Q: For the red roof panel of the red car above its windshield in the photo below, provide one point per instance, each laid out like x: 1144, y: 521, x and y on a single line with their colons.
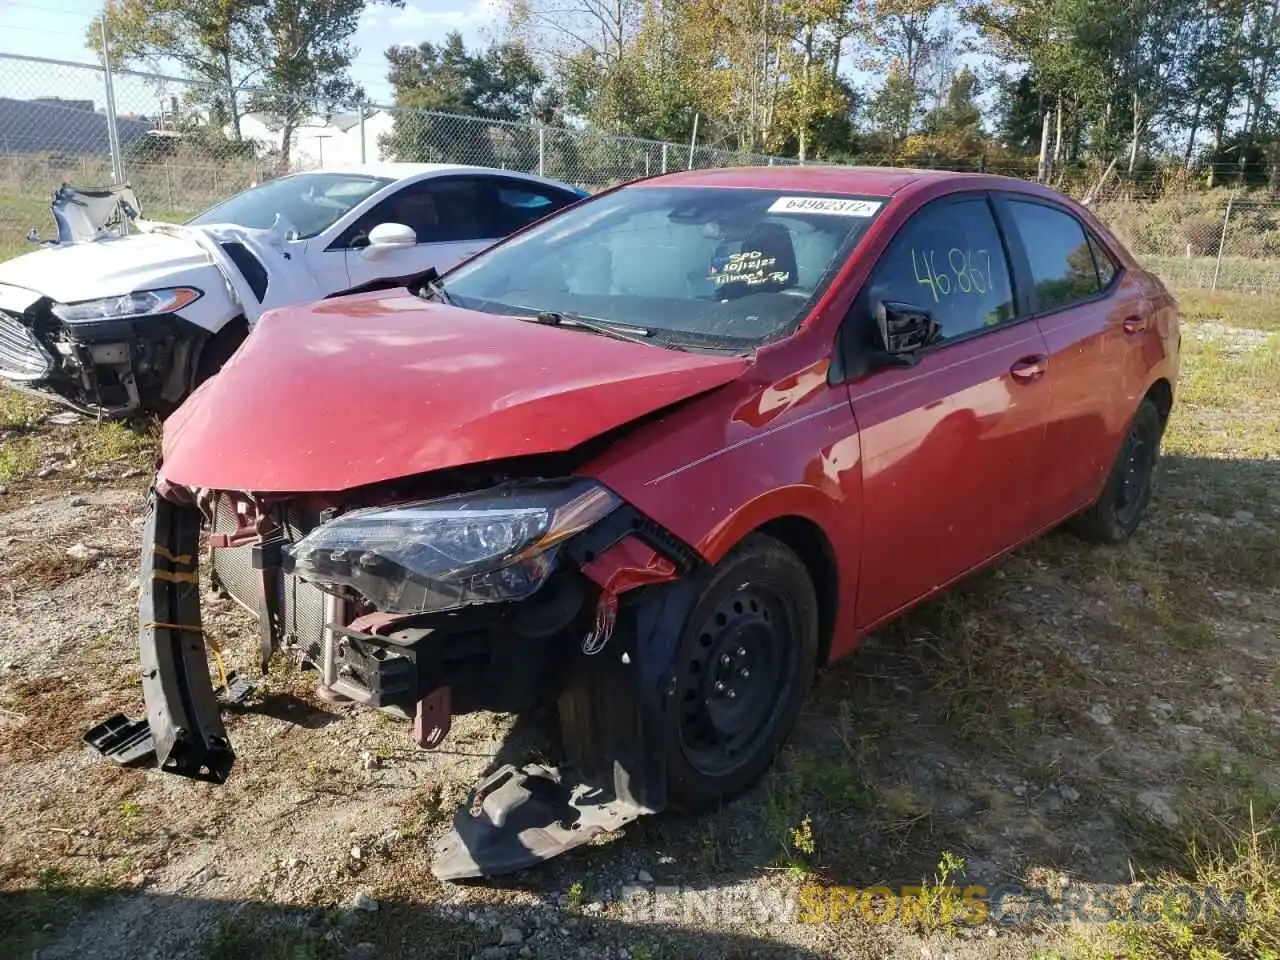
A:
x: 866, y: 181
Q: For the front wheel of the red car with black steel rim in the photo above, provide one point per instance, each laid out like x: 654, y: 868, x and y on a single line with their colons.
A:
x: 743, y: 669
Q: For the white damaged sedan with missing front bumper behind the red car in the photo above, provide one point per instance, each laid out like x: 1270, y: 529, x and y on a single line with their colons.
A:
x: 120, y: 322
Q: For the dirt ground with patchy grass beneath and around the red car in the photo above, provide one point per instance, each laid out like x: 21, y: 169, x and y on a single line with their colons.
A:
x: 1076, y: 715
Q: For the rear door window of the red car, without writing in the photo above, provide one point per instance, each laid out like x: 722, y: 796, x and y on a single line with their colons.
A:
x: 1062, y: 263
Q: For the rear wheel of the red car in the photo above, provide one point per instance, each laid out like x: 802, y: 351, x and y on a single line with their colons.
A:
x: 1119, y: 511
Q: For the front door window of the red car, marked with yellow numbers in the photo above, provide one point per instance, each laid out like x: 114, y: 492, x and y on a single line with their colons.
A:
x: 950, y: 260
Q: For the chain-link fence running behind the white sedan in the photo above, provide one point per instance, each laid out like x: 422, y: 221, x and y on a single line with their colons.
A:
x: 185, y: 147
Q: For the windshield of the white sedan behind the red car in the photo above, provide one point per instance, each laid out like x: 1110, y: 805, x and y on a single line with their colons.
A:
x: 310, y: 203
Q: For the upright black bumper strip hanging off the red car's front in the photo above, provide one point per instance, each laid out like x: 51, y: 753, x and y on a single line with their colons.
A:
x: 182, y: 712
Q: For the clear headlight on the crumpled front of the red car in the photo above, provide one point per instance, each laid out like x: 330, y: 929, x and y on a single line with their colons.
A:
x: 484, y: 547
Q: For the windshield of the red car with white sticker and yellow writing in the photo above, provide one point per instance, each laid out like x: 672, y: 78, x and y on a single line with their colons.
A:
x: 716, y: 267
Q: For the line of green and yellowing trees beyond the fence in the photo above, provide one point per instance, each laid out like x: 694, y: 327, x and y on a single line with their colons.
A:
x: 1171, y: 89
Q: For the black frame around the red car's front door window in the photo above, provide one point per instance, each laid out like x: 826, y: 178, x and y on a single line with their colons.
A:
x: 847, y: 346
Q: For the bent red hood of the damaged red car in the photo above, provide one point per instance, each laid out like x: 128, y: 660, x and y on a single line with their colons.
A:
x: 378, y: 387
